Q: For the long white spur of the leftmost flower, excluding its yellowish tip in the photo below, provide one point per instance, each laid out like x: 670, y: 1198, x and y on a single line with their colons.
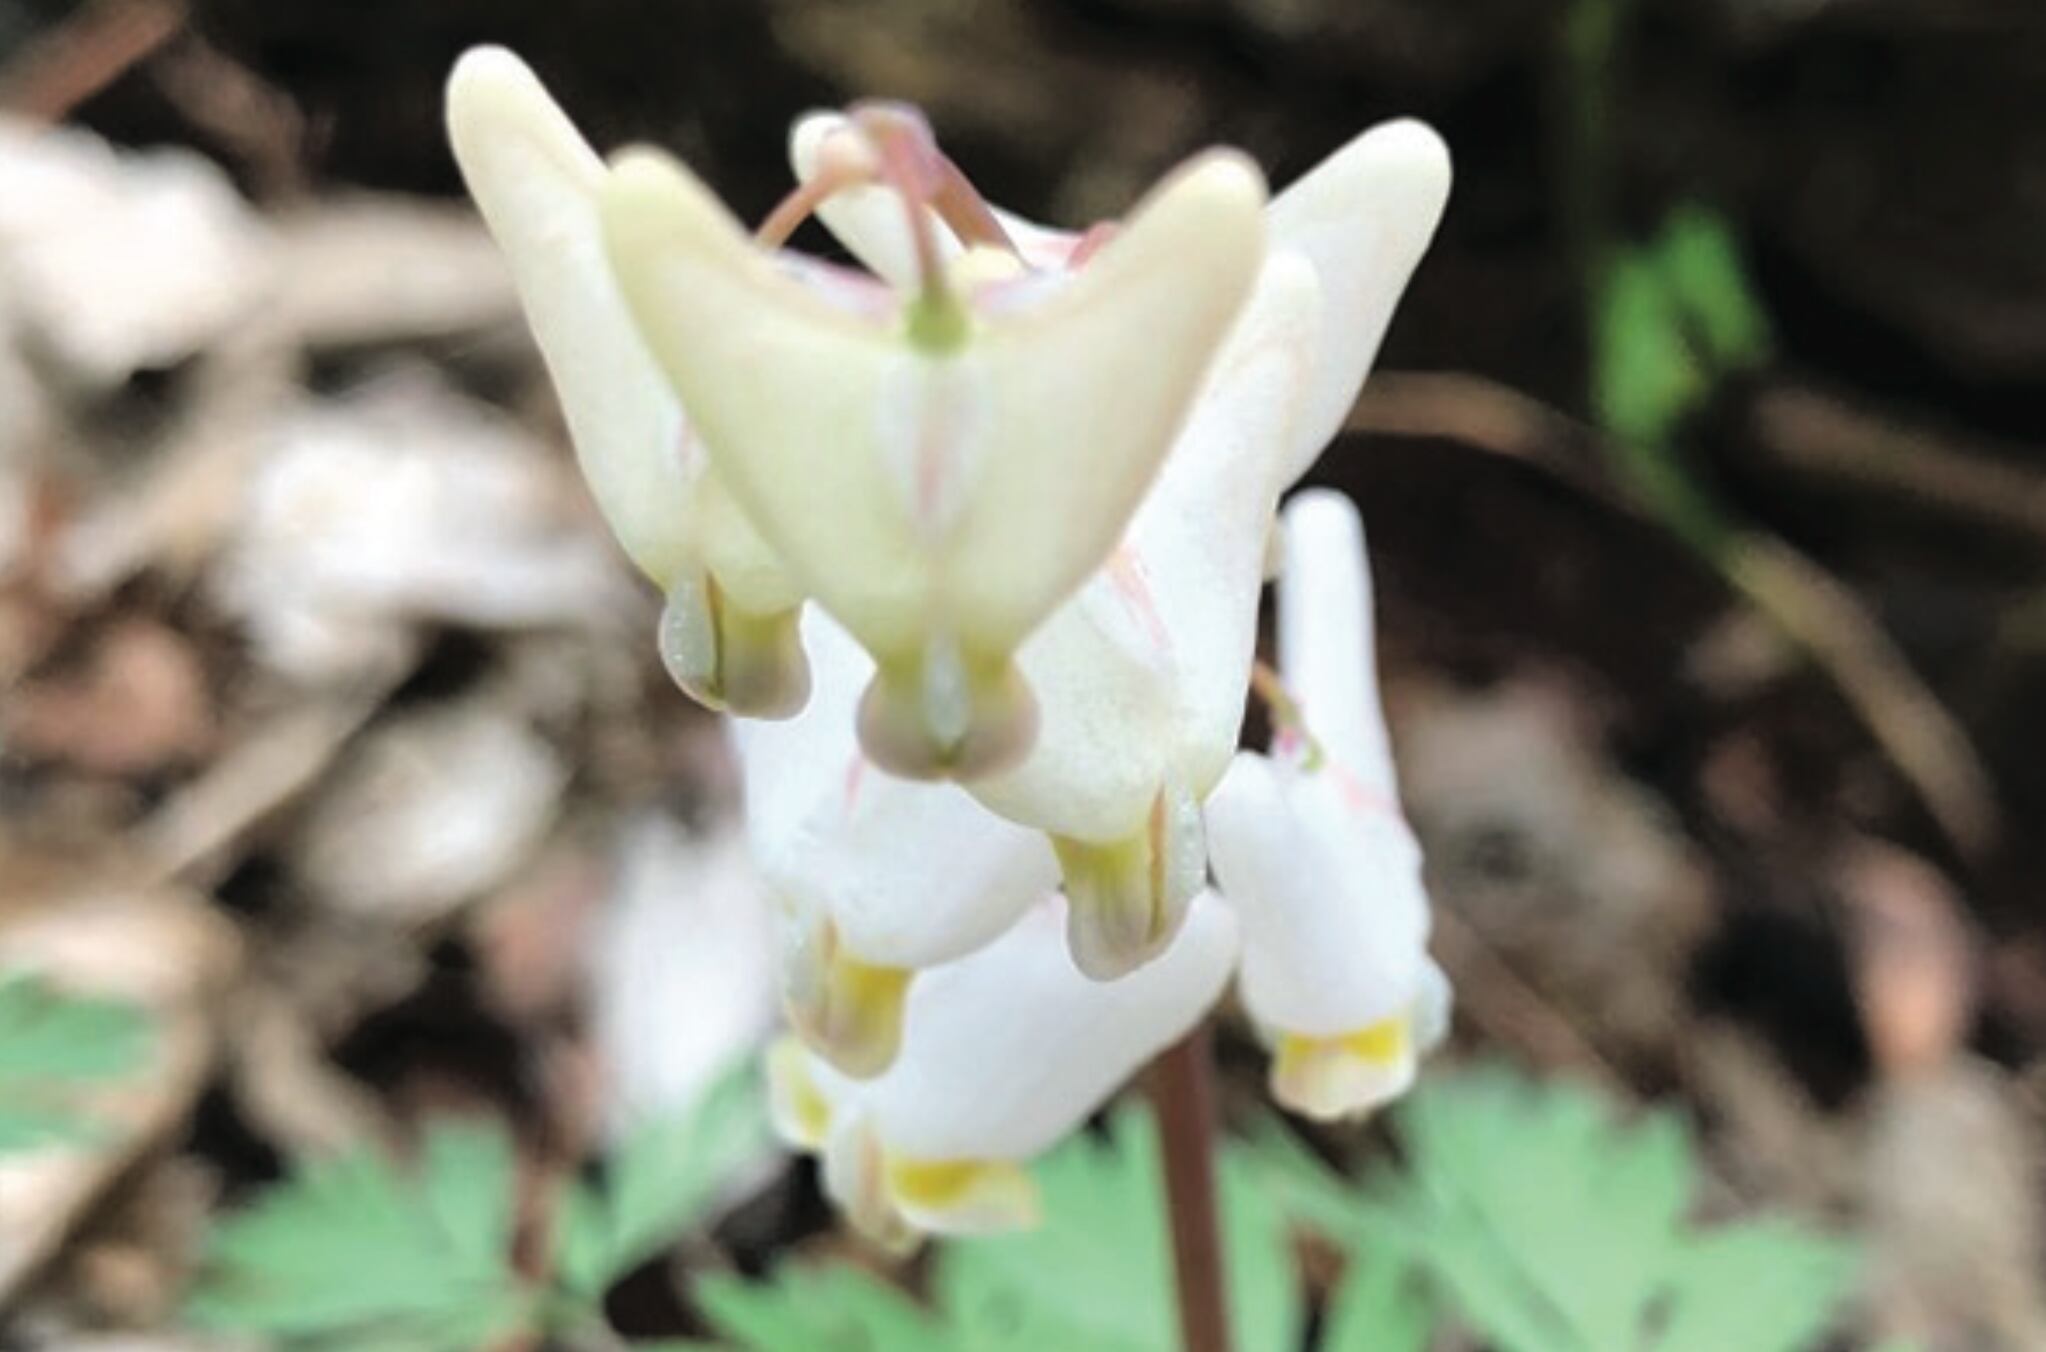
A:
x: 537, y: 181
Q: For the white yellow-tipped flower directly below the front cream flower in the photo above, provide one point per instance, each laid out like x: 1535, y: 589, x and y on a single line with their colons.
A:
x: 877, y: 876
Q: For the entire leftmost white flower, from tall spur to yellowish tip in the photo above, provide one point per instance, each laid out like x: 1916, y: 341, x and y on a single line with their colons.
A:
x: 729, y: 631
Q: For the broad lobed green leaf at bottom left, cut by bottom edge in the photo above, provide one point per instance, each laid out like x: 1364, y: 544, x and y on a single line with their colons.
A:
x: 355, y: 1253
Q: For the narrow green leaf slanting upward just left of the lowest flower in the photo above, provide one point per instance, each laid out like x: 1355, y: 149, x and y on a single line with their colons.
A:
x: 660, y: 1183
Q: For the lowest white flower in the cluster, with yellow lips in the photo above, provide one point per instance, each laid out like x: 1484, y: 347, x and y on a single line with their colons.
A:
x: 1004, y: 1054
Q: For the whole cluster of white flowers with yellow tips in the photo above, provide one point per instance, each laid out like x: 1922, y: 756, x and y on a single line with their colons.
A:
x: 971, y: 547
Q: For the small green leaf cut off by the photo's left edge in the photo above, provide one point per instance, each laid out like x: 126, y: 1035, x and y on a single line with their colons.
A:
x: 54, y: 1046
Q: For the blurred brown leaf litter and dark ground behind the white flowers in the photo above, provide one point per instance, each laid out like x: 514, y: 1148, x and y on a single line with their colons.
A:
x: 1705, y: 482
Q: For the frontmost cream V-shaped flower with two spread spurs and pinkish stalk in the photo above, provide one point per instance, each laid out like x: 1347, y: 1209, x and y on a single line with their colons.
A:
x: 938, y: 465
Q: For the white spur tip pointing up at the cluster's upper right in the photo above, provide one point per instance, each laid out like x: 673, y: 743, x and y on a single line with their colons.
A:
x: 1364, y: 218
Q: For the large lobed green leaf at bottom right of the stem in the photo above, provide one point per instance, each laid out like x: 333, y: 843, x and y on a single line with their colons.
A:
x: 1552, y: 1226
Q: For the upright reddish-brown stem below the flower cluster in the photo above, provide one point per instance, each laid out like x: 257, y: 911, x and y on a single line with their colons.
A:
x: 1184, y: 1095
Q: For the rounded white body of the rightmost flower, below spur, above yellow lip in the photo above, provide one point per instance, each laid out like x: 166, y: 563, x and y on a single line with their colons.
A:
x: 1327, y: 887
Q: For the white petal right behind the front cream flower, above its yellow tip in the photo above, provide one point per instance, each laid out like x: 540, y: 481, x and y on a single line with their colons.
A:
x: 1143, y: 676
